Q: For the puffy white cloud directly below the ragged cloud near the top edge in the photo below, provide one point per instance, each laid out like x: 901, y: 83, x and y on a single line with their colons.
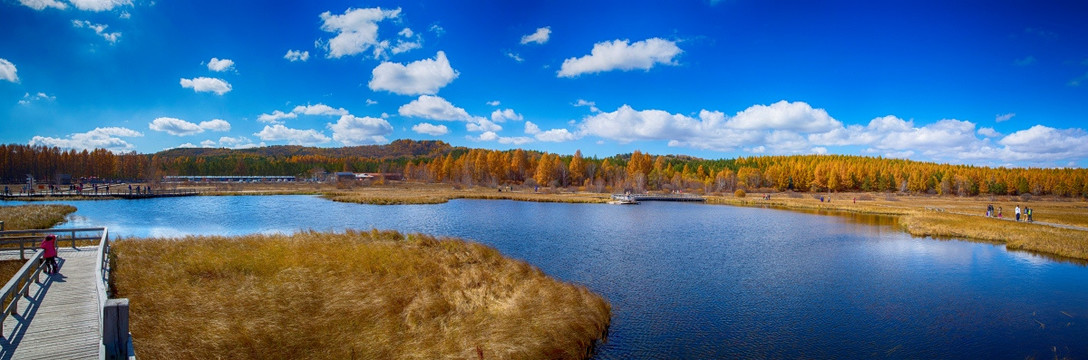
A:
x: 425, y: 77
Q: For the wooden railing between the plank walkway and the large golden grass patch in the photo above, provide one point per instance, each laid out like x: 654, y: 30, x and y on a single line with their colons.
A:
x: 114, y: 314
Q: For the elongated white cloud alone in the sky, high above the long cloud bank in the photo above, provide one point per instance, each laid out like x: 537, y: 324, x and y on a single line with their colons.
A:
x: 619, y: 55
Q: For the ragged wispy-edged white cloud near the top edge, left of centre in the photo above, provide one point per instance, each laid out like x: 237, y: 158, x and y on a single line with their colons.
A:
x: 356, y: 31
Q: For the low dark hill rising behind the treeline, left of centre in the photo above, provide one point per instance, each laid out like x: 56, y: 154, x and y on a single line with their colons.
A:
x: 403, y: 148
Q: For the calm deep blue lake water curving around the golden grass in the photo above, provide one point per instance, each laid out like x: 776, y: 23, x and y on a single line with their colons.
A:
x: 695, y: 281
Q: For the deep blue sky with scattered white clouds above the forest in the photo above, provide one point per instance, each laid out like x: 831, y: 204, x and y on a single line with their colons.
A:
x: 988, y: 83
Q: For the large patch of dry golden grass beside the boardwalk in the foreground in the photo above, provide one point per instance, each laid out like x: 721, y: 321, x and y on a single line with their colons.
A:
x: 358, y: 295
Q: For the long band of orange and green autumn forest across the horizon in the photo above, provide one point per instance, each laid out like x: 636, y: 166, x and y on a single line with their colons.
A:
x: 439, y: 163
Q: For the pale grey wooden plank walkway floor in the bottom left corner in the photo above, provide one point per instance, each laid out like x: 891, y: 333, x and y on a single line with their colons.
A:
x: 60, y: 320
